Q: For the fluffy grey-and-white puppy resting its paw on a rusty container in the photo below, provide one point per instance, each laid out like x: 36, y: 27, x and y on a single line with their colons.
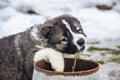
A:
x: 48, y: 41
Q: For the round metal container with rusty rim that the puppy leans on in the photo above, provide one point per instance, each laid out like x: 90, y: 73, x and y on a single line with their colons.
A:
x: 84, y: 70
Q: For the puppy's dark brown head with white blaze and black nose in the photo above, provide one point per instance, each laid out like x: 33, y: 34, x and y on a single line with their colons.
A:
x: 64, y: 34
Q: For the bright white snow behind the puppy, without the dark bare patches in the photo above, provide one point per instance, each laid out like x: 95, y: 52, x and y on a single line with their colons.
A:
x: 104, y: 24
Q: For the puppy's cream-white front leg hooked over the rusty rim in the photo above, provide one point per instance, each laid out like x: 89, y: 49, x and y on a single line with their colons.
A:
x: 52, y: 56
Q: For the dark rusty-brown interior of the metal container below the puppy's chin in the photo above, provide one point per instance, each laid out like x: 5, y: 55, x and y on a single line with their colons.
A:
x: 81, y: 65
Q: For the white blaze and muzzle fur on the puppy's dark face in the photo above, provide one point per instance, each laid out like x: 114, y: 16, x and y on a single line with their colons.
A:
x: 76, y: 36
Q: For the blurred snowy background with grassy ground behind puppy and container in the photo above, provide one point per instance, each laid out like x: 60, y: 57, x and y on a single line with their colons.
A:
x: 100, y: 20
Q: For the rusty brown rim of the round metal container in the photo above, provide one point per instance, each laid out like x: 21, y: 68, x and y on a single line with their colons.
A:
x: 77, y: 73
